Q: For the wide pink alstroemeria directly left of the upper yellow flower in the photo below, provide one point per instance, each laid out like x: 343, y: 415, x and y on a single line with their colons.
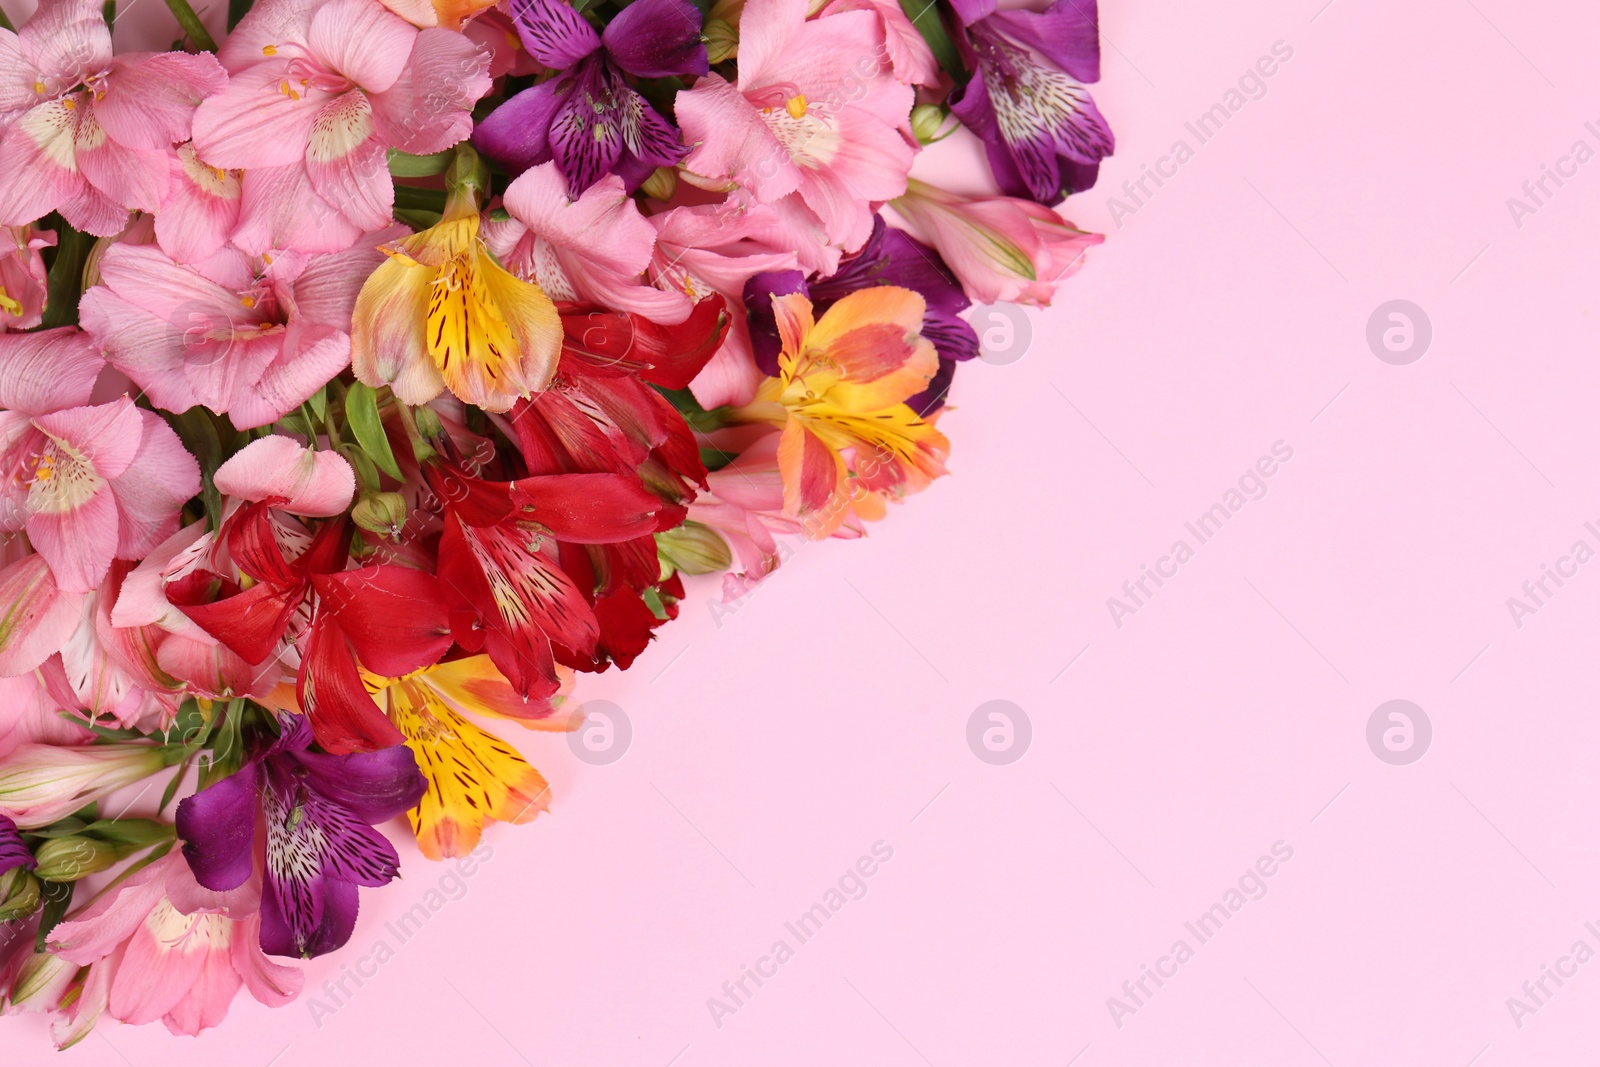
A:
x: 252, y: 338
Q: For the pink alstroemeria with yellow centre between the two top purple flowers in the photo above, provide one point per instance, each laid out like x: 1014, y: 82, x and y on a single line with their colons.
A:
x: 817, y: 113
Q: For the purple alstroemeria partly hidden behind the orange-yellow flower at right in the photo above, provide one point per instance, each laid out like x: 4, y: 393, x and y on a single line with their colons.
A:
x: 889, y: 258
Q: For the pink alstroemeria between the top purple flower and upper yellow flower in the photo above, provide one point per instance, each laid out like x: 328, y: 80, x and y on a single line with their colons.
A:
x: 593, y: 249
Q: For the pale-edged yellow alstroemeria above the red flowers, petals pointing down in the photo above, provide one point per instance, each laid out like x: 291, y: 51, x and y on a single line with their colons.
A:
x: 442, y: 314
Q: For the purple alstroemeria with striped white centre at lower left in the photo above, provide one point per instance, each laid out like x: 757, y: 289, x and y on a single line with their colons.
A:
x: 321, y: 842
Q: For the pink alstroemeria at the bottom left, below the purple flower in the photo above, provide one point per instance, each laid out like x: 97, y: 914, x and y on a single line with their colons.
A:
x: 177, y: 951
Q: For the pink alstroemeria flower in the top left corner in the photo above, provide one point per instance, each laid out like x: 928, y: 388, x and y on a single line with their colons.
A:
x: 89, y: 134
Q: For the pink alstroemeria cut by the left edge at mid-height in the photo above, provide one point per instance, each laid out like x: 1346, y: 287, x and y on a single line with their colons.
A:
x: 87, y: 482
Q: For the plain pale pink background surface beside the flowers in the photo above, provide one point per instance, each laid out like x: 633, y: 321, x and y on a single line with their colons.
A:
x: 1228, y: 314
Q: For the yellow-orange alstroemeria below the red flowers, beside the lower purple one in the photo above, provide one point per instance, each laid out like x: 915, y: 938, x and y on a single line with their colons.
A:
x: 473, y: 777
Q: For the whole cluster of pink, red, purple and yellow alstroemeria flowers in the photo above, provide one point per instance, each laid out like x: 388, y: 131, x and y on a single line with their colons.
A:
x: 374, y: 374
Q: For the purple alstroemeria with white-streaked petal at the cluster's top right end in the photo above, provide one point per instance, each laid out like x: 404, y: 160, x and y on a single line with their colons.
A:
x: 1026, y: 100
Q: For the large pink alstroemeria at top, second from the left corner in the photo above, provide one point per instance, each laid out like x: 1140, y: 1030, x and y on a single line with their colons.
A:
x: 319, y: 94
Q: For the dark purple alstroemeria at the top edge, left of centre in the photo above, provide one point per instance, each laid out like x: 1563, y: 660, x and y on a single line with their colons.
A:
x: 590, y: 119
